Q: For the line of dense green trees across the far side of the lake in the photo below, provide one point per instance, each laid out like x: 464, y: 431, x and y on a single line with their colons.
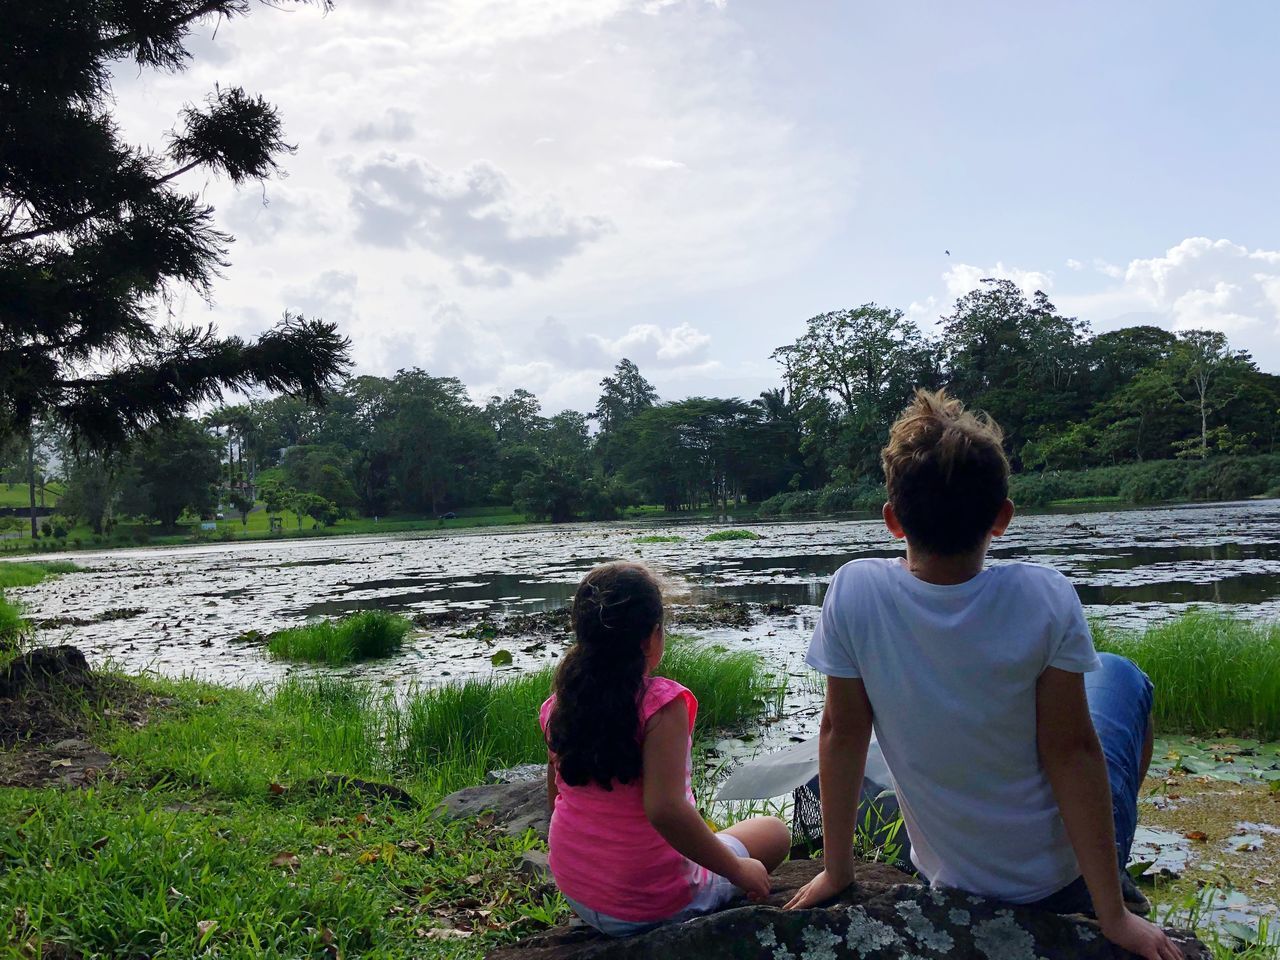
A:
x: 418, y: 445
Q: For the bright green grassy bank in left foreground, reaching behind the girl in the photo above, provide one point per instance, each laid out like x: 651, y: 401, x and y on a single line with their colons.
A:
x: 212, y: 839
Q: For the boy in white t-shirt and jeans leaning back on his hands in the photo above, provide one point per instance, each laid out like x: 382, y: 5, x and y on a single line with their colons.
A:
x: 975, y: 683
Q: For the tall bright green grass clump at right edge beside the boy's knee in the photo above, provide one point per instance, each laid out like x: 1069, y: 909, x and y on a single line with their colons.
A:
x: 1212, y: 673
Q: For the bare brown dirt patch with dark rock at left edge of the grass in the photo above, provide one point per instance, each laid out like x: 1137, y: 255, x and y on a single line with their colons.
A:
x: 51, y: 712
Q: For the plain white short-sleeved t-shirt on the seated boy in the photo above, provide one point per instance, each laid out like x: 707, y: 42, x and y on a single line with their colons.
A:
x: 950, y: 671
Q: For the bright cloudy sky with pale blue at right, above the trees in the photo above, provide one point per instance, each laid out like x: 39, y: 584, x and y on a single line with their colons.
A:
x: 523, y: 193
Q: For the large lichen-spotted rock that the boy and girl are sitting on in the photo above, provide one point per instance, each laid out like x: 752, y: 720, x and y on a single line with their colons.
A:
x: 877, y: 918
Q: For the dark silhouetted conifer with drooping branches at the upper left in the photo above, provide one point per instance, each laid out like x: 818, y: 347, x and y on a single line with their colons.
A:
x: 94, y: 231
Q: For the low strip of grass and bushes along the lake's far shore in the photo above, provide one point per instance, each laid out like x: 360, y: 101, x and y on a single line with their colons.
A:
x: 1127, y: 486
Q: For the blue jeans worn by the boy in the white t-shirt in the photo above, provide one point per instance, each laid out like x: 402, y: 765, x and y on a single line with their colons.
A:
x: 1121, y: 698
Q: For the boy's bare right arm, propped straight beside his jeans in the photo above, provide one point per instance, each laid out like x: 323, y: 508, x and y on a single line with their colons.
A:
x: 1077, y: 771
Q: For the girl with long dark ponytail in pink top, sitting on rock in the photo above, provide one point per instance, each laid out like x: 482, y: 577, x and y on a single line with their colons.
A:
x: 629, y: 849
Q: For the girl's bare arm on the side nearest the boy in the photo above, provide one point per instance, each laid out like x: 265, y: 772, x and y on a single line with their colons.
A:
x: 666, y: 751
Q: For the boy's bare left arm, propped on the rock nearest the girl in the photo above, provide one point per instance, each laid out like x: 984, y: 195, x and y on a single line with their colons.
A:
x: 843, y: 742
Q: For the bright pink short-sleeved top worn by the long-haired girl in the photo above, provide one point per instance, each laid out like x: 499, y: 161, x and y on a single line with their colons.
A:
x: 605, y: 853
